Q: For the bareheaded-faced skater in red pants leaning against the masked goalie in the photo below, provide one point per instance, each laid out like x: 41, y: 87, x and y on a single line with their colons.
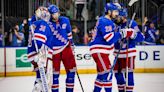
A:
x: 62, y: 50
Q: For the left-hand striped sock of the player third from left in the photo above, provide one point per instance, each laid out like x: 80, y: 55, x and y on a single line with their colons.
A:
x: 98, y: 83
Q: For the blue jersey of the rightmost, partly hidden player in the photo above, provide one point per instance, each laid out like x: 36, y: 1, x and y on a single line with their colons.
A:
x: 132, y: 42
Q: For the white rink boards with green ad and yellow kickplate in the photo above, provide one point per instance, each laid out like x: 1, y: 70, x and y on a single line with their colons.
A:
x: 148, y: 59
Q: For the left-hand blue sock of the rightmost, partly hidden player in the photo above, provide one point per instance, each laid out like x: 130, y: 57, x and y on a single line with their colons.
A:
x: 120, y: 81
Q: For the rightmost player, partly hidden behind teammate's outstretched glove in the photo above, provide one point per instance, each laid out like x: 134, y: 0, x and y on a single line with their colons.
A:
x: 120, y: 66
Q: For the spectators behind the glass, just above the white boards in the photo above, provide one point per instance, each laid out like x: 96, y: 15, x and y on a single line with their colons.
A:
x: 17, y: 36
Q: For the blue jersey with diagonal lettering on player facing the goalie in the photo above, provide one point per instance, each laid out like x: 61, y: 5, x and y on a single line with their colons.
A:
x: 62, y: 33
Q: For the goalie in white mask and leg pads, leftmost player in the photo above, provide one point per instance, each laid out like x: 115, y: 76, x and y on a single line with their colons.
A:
x: 41, y: 41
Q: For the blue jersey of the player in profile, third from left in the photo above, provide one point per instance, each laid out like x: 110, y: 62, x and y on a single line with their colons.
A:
x: 104, y: 36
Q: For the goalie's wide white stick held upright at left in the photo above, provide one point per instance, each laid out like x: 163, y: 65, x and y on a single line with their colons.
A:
x: 40, y: 66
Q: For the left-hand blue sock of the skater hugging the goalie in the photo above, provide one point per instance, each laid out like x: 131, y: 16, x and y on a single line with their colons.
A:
x: 55, y: 85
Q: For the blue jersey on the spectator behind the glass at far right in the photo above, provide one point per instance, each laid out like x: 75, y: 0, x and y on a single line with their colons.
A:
x: 150, y: 36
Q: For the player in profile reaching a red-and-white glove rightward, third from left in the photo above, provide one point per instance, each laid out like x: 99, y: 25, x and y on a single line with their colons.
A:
x: 102, y: 45
